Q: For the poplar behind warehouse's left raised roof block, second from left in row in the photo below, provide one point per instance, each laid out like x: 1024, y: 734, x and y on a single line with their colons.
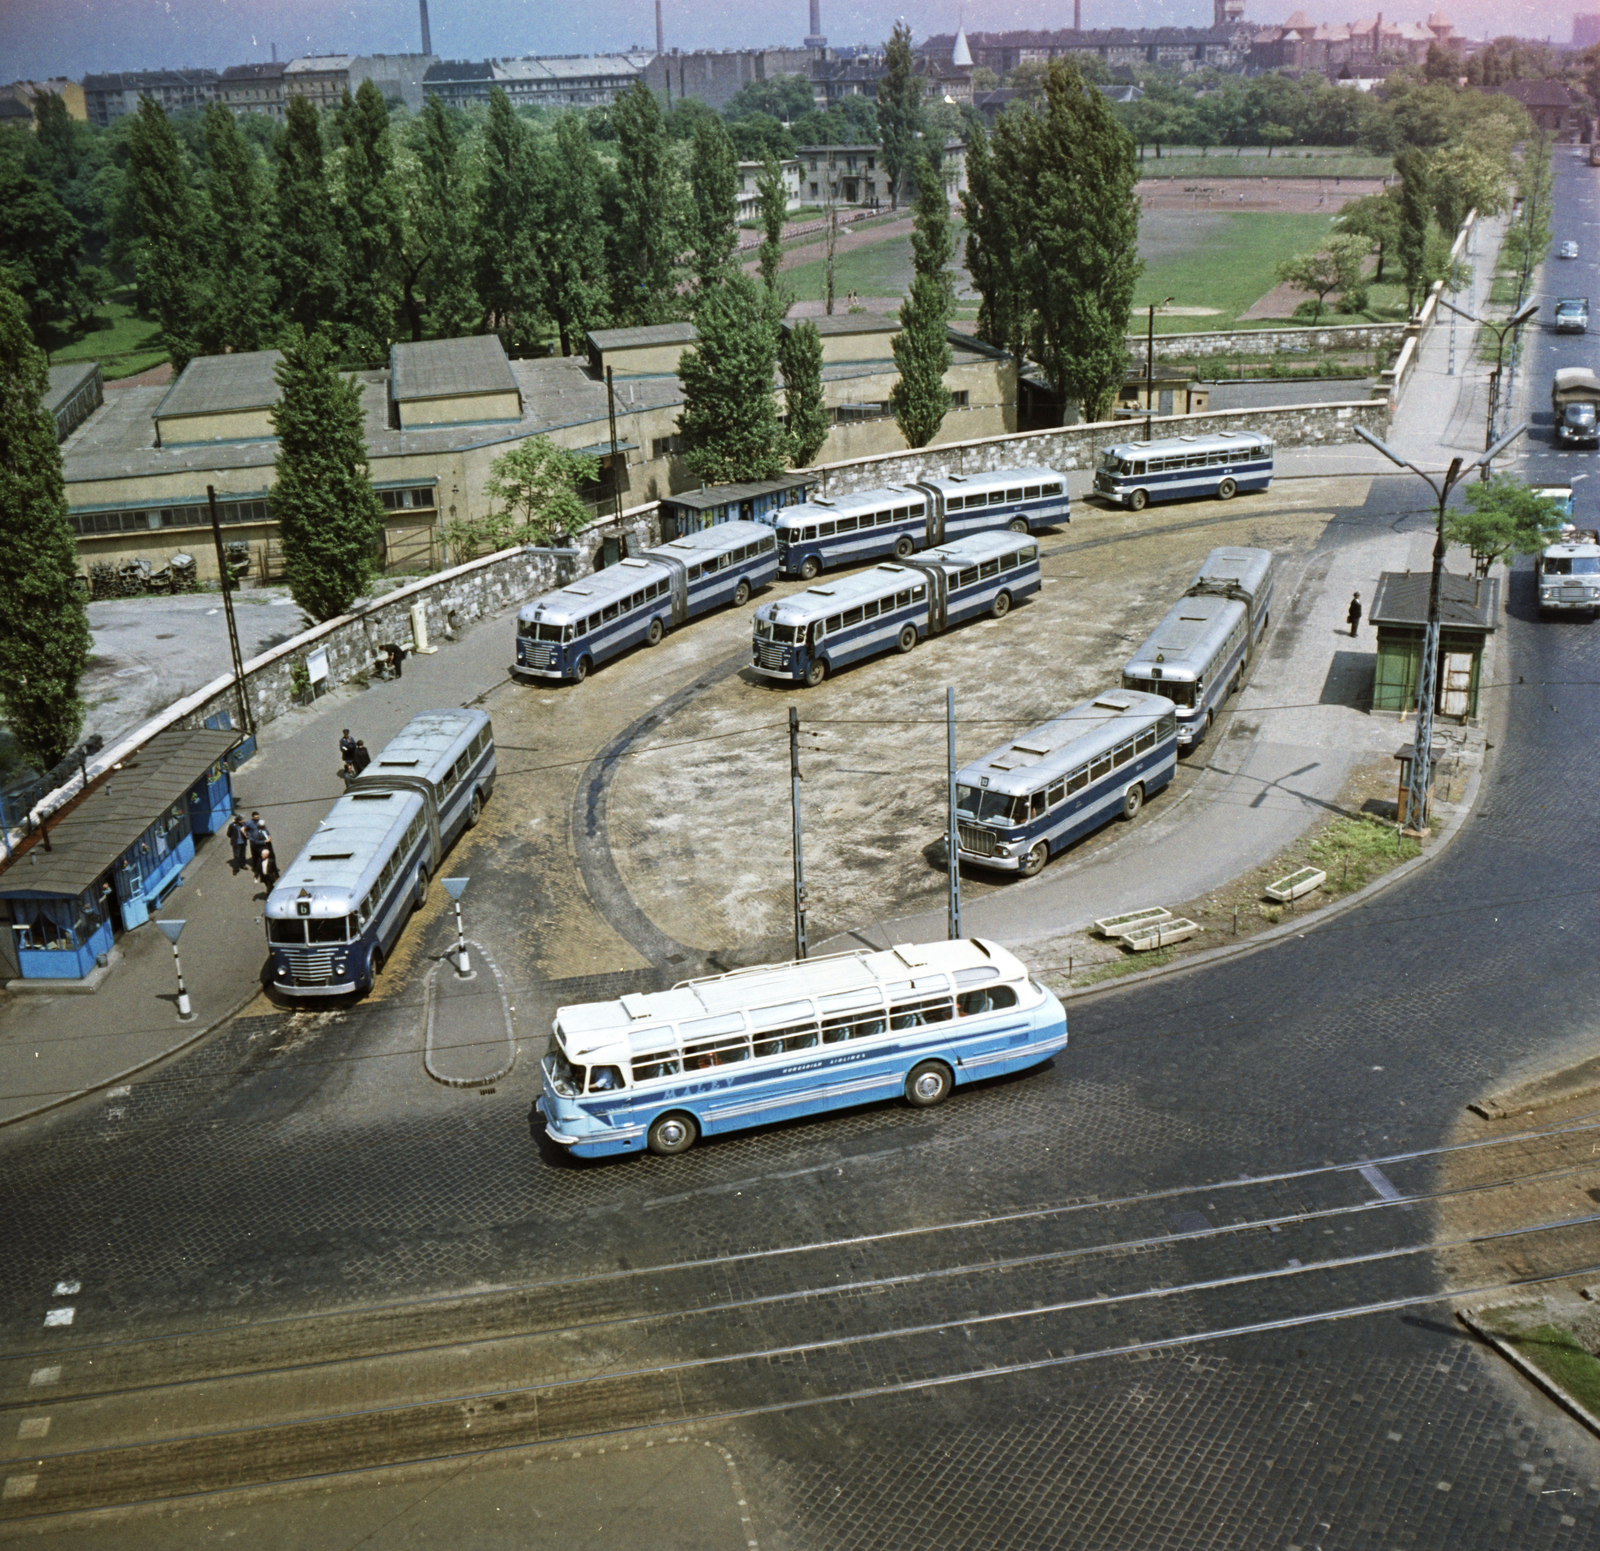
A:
x: 239, y: 289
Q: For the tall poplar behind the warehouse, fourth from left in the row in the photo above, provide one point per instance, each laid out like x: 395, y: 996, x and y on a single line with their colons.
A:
x: 370, y: 218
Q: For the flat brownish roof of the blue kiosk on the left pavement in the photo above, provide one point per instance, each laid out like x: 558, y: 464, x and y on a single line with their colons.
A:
x: 92, y: 836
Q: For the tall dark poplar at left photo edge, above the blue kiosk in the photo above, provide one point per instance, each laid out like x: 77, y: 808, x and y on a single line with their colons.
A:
x: 44, y: 623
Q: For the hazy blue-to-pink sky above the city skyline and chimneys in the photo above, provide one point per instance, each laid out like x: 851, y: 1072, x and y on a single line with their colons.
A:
x: 71, y: 38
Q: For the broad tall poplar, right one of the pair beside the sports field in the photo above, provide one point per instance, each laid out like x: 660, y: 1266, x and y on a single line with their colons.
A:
x: 1084, y: 231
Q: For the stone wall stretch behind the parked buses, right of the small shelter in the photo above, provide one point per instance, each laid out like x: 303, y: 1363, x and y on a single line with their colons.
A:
x: 1078, y: 447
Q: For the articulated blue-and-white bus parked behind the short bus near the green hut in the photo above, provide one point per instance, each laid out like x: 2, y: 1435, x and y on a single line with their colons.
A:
x: 1199, y: 654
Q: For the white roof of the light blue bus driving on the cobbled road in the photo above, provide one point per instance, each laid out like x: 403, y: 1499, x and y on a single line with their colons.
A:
x: 614, y: 1032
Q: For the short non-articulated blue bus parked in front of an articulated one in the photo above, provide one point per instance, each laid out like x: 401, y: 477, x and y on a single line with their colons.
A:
x: 1034, y: 796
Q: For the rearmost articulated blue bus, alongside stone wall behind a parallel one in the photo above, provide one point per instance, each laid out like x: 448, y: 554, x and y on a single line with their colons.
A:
x: 902, y: 519
